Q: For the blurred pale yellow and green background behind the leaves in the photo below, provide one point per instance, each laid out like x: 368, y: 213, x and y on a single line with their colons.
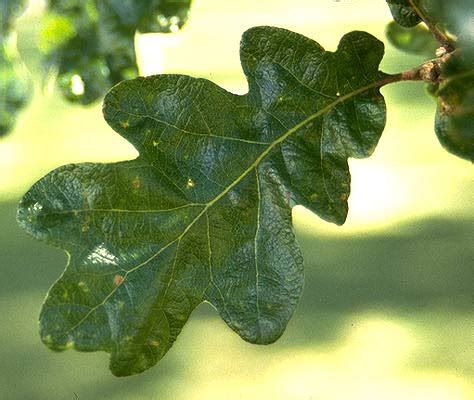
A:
x: 387, y: 310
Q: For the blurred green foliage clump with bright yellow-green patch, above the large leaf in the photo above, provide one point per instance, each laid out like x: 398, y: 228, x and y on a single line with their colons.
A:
x: 90, y: 44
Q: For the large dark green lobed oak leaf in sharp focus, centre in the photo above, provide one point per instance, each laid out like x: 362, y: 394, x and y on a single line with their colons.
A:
x: 204, y: 212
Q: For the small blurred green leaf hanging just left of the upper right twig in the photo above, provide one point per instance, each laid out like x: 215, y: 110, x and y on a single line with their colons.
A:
x: 417, y: 40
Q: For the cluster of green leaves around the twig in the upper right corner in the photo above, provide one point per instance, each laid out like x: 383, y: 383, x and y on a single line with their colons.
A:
x: 454, y: 90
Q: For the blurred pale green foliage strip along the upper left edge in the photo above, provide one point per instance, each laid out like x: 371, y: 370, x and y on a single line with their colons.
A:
x: 15, y: 88
